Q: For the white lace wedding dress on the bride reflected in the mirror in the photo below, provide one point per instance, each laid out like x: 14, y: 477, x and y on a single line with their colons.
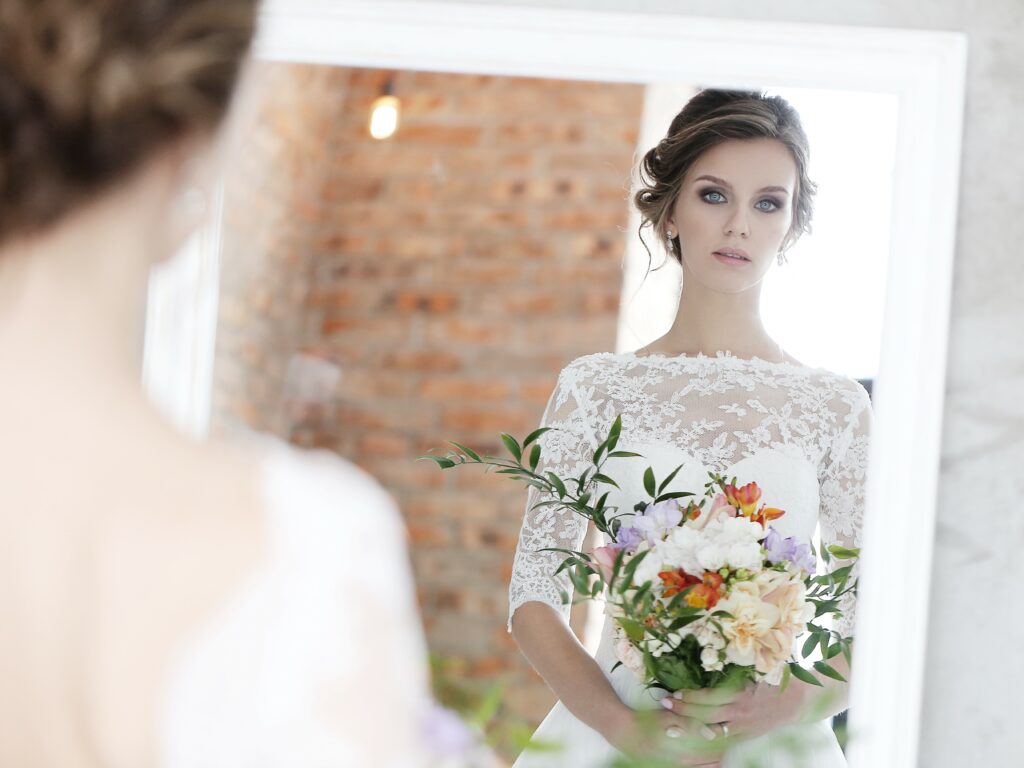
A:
x: 801, y: 433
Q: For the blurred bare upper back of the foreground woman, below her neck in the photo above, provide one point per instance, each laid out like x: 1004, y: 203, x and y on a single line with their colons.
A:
x: 115, y: 546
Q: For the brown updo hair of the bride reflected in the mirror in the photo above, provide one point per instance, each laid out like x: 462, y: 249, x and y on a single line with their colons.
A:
x: 714, y: 116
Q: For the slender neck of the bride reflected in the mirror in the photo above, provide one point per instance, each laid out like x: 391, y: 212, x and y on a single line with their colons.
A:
x: 711, y: 321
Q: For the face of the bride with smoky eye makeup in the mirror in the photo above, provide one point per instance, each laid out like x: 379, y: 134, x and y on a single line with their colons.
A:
x: 738, y: 195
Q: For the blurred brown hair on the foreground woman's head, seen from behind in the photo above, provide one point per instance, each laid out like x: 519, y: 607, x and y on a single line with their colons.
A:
x: 92, y: 90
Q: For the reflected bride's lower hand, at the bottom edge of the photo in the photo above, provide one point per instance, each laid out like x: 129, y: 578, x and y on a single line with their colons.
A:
x: 644, y: 734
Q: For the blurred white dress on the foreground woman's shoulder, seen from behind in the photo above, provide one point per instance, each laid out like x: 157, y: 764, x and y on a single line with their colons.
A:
x: 320, y: 660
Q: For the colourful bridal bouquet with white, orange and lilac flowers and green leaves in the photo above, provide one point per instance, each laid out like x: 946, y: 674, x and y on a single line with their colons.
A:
x: 704, y: 591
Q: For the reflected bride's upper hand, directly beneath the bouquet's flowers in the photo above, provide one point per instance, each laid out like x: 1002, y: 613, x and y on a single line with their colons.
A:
x: 748, y: 712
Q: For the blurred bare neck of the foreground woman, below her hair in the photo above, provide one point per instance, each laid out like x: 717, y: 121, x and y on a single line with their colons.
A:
x: 72, y: 304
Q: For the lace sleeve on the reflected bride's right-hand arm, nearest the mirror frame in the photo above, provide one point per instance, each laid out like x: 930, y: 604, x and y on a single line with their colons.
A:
x: 842, y: 489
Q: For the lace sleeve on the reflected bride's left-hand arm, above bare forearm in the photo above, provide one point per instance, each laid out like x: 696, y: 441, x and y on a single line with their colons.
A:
x: 567, y: 451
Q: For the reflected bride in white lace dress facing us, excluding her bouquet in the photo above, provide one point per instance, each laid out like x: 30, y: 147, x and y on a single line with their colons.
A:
x: 728, y: 193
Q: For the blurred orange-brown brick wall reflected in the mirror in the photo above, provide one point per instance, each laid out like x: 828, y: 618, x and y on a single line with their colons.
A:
x: 449, y: 273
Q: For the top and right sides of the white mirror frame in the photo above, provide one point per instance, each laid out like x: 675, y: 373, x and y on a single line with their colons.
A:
x: 925, y: 69
